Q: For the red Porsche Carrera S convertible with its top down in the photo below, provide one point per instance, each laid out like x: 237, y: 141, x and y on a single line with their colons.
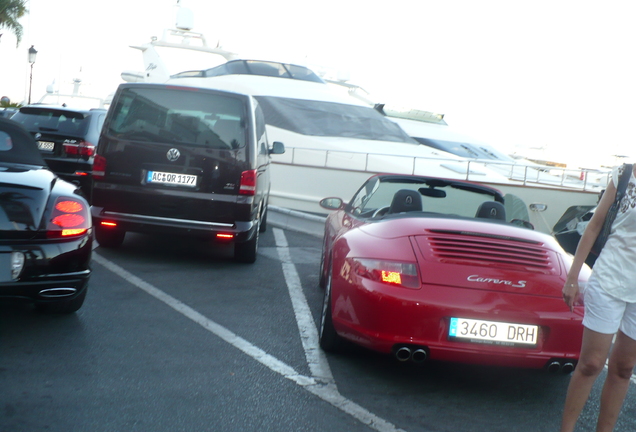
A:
x: 429, y: 268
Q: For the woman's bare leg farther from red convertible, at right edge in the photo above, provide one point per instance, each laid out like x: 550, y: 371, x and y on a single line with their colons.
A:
x: 619, y: 372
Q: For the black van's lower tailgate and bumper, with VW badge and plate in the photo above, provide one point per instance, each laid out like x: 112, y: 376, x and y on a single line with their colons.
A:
x: 197, y: 184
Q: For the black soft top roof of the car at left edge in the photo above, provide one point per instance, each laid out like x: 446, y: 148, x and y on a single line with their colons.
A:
x: 17, y: 145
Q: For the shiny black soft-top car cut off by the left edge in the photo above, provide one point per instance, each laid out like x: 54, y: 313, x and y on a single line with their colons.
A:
x: 45, y: 228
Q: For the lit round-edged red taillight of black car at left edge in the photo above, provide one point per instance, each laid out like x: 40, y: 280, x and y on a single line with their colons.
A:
x: 69, y: 218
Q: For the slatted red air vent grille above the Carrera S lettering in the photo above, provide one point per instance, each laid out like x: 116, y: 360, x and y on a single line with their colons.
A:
x: 474, y: 248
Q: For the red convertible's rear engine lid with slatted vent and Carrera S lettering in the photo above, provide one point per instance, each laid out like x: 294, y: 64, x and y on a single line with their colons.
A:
x: 480, y: 255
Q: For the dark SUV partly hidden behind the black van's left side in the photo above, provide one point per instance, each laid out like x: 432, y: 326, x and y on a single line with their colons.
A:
x: 67, y: 139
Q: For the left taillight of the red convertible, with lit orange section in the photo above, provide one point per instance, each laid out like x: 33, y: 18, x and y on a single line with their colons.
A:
x: 388, y: 272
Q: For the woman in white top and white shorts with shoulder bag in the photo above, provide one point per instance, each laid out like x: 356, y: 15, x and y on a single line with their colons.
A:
x: 610, y: 309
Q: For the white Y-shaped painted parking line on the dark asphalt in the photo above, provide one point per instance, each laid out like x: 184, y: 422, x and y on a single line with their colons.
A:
x: 323, y: 386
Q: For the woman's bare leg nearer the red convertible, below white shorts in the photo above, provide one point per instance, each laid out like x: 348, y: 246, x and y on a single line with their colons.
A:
x: 594, y: 351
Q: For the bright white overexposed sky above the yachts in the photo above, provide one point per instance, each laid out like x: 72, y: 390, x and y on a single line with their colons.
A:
x: 551, y: 79
